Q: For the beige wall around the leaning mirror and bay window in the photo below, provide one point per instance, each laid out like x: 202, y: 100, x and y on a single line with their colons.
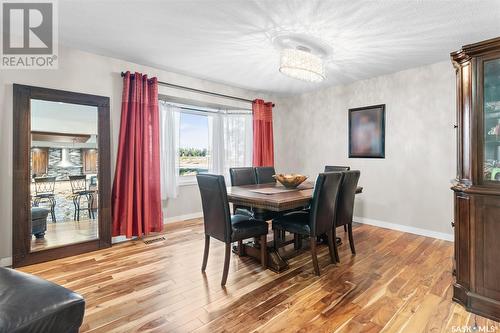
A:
x: 92, y: 74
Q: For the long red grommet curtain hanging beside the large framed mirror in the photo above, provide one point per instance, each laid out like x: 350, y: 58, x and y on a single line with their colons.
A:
x: 136, y: 188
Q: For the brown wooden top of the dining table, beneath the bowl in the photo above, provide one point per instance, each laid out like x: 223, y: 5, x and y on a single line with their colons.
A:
x: 246, y: 196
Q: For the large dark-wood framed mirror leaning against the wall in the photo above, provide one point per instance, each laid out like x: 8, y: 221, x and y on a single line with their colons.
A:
x: 62, y: 174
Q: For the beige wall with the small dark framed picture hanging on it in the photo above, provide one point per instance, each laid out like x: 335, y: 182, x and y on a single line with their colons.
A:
x: 409, y: 189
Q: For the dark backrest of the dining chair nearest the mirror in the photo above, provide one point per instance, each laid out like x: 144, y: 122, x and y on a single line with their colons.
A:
x: 216, y: 215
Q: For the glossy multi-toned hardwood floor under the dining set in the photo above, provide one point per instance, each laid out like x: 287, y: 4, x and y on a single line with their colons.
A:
x: 397, y: 282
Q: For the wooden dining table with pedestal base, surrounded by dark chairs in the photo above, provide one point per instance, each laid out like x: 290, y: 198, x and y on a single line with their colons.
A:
x: 276, y: 198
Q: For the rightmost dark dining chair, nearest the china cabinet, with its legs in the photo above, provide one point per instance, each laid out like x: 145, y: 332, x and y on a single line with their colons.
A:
x: 345, y: 206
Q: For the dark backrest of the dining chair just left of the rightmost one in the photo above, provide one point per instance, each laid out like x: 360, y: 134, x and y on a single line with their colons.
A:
x: 324, y: 202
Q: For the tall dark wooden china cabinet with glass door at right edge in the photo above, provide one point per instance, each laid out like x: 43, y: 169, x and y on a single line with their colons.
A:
x: 477, y: 186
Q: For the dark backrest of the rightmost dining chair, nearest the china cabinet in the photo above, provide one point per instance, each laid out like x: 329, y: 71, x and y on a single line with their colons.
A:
x: 345, y: 206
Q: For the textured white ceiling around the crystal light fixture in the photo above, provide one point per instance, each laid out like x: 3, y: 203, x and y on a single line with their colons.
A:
x: 230, y: 41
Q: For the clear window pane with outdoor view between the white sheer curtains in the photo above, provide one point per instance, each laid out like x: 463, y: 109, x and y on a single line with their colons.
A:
x: 193, y: 144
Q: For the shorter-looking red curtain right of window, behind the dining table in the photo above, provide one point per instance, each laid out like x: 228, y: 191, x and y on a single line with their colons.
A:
x: 263, y: 146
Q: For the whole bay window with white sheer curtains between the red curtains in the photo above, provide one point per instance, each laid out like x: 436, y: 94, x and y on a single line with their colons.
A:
x: 197, y: 140
